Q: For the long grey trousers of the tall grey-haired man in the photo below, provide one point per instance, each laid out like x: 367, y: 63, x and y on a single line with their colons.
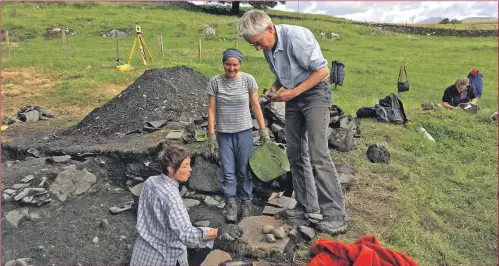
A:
x: 314, y: 175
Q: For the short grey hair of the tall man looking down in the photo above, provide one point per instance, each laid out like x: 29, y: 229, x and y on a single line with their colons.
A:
x: 253, y: 22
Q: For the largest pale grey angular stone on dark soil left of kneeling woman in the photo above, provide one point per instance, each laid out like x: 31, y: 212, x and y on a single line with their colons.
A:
x: 72, y: 181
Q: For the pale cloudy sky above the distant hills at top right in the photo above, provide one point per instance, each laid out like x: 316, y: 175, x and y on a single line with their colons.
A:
x: 393, y: 12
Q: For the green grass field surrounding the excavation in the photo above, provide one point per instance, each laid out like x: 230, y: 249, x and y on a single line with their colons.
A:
x: 437, y: 202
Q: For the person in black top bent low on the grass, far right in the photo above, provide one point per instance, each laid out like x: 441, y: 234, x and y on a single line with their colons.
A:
x: 459, y: 94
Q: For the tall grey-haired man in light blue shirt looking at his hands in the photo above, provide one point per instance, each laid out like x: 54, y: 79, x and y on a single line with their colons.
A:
x: 295, y: 58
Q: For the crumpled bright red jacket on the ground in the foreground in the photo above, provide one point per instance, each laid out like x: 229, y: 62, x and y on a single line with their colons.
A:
x: 367, y: 251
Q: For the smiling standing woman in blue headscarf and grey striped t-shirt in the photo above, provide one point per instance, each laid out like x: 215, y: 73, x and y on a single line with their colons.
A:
x: 229, y: 98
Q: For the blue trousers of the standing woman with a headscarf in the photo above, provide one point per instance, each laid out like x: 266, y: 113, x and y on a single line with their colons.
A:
x: 235, y: 151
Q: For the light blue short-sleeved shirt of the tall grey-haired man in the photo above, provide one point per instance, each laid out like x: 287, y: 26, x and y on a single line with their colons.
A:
x: 296, y: 55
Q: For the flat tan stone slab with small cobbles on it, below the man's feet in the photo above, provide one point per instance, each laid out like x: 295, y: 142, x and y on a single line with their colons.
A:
x: 253, y: 242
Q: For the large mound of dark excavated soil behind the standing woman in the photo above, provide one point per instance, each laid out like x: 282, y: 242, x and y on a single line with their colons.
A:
x: 177, y: 94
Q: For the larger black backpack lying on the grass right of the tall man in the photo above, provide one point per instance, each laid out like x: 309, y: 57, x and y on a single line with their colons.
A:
x: 390, y: 110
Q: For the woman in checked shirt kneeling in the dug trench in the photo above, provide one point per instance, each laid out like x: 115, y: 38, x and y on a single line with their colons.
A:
x: 165, y: 230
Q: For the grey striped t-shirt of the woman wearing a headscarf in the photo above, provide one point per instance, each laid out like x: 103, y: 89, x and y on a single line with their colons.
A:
x: 233, y: 102
